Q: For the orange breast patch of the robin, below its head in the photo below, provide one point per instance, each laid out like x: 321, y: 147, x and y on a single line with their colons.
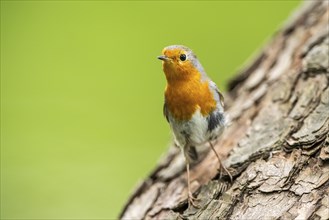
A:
x: 184, y: 97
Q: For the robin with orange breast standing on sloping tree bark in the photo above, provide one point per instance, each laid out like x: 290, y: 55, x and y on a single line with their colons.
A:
x: 193, y: 106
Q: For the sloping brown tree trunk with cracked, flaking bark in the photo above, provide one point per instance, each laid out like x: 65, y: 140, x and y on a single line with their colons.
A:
x: 276, y: 147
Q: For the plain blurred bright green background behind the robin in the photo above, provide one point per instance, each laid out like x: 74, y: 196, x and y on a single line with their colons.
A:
x: 82, y: 93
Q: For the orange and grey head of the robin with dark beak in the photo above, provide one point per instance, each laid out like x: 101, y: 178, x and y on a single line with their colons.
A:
x: 179, y: 63
